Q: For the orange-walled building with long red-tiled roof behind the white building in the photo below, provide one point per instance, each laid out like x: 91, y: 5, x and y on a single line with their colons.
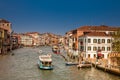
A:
x: 74, y: 34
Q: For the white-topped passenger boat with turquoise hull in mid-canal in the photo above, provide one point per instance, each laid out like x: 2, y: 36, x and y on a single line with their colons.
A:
x: 45, y: 62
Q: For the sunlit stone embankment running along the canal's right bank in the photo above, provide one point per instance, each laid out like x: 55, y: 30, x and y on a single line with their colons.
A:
x: 101, y: 64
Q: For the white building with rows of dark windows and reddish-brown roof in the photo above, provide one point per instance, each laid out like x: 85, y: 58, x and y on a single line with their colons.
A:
x: 93, y: 44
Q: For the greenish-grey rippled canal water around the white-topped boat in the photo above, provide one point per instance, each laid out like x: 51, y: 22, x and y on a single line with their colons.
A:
x: 23, y: 66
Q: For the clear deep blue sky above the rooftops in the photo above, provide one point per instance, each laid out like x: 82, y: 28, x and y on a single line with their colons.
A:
x: 59, y: 16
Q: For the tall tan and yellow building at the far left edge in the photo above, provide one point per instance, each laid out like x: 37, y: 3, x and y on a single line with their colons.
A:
x: 5, y: 30
